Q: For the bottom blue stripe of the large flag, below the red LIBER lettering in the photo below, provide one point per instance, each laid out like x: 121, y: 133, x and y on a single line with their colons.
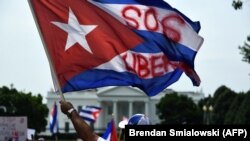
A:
x: 91, y: 77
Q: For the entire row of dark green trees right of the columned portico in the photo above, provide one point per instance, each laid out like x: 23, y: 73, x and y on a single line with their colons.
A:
x: 228, y: 107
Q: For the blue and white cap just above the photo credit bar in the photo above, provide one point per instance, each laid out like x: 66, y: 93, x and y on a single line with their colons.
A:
x: 139, y: 119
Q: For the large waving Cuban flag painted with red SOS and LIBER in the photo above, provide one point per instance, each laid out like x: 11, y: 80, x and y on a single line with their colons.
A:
x: 95, y: 43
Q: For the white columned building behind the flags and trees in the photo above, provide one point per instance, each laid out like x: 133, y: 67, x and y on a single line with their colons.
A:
x: 114, y: 101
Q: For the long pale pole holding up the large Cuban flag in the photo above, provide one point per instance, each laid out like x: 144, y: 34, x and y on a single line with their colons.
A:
x: 55, y: 79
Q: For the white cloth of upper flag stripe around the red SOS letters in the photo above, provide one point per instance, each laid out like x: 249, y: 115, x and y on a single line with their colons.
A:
x: 186, y: 31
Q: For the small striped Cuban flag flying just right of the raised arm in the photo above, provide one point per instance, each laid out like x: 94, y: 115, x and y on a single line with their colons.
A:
x: 90, y: 113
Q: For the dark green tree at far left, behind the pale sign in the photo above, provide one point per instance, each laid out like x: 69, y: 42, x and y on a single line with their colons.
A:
x: 24, y: 104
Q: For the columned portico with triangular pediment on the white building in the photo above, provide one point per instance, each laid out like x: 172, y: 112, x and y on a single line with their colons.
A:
x: 121, y: 103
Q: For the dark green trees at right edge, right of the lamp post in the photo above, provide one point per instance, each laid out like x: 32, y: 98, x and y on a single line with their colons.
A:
x: 230, y: 107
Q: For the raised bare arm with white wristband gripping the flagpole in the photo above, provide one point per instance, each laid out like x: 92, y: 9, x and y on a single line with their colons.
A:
x: 82, y: 128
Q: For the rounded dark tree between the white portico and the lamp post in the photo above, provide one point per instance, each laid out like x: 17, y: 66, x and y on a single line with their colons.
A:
x: 178, y: 109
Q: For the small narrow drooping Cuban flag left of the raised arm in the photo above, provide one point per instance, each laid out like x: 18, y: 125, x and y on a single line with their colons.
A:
x: 53, y: 122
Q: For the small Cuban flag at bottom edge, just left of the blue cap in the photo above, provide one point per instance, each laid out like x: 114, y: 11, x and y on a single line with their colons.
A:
x: 110, y: 134
